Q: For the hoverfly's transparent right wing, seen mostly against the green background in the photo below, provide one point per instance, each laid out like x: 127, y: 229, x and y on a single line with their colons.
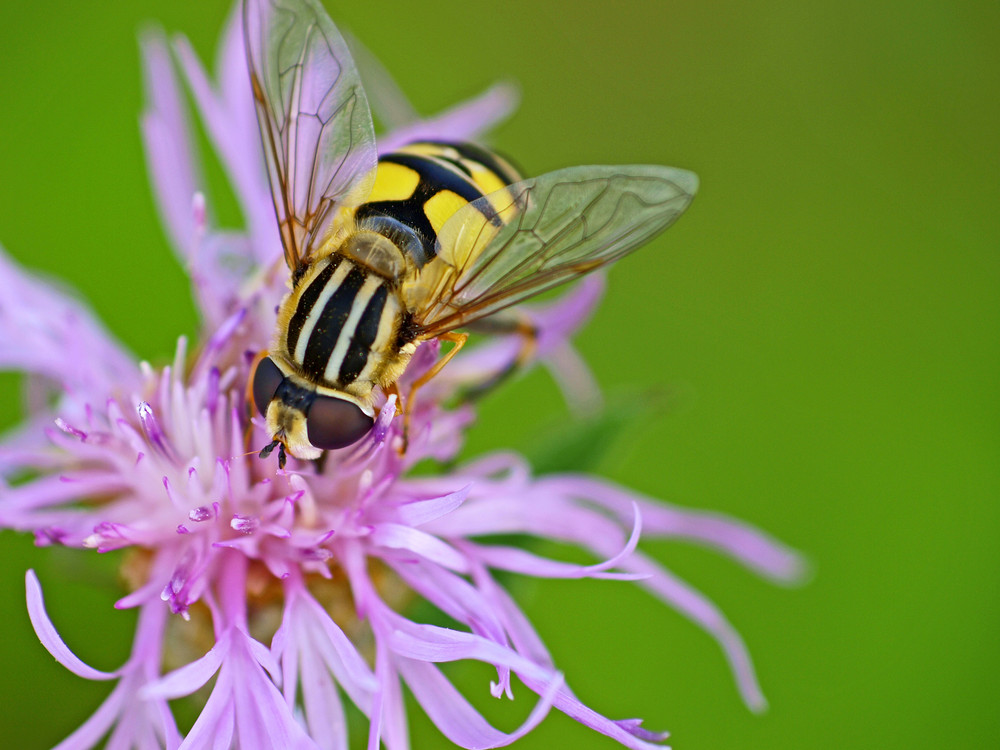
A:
x: 539, y: 233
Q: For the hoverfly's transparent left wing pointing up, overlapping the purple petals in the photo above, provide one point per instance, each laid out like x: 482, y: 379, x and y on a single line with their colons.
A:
x: 315, y: 124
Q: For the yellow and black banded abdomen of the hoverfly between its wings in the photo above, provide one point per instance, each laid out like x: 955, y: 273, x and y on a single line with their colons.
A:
x: 418, y: 188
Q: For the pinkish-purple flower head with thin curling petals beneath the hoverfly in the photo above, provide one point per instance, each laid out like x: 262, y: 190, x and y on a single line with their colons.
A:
x: 298, y: 580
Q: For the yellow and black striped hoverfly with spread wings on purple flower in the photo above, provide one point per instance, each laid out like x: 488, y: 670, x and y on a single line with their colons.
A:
x: 387, y: 252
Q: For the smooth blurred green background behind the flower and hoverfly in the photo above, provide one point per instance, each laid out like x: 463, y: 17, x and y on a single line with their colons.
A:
x: 823, y: 323
